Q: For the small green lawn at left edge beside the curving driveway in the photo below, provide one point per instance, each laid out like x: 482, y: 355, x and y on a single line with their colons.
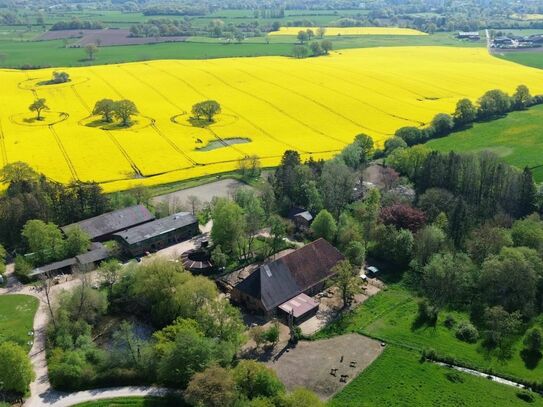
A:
x: 17, y: 317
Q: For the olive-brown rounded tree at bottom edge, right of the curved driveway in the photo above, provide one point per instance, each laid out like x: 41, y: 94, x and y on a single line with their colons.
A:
x: 214, y: 387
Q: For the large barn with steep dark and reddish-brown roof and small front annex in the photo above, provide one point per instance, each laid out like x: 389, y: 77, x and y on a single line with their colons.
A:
x: 275, y: 285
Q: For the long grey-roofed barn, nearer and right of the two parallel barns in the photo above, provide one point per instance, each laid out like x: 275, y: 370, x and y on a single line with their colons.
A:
x: 158, y: 234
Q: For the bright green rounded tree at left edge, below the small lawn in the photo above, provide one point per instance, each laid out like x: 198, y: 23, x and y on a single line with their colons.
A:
x: 15, y: 370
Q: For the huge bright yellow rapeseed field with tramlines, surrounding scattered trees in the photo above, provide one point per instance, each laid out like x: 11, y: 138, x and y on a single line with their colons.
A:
x: 314, y: 105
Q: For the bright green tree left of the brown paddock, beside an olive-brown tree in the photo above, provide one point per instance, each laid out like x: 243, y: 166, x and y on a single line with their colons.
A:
x: 255, y: 380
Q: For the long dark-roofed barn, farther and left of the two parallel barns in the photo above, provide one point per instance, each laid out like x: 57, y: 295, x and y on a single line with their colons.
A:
x: 102, y: 227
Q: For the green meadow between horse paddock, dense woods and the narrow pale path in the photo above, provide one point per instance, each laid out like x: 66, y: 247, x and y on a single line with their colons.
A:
x: 390, y: 316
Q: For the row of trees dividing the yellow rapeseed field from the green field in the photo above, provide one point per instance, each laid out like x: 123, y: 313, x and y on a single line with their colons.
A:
x: 491, y: 105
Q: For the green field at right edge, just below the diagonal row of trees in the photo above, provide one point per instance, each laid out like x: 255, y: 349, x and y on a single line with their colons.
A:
x: 517, y: 138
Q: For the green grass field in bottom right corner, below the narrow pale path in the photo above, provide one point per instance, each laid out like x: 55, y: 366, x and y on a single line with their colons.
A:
x: 398, y: 378
